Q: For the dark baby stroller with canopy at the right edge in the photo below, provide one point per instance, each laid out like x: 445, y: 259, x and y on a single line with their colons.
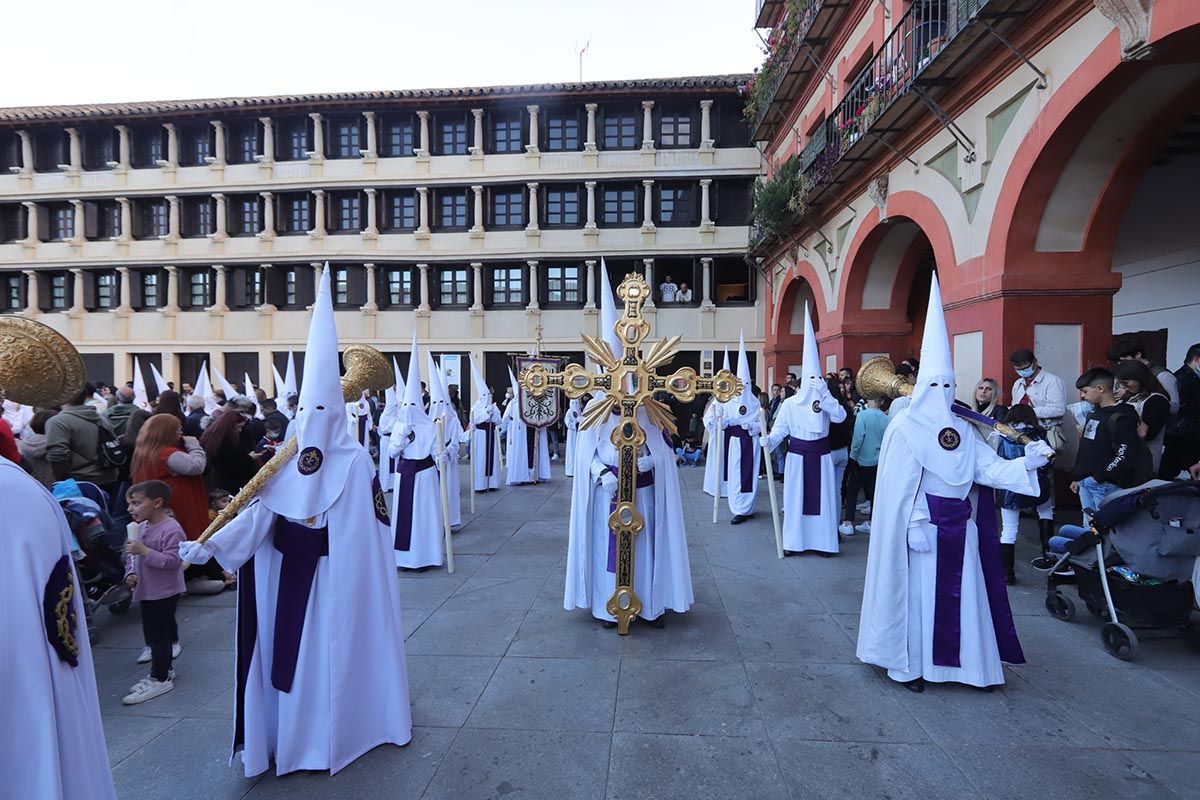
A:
x: 1136, y: 566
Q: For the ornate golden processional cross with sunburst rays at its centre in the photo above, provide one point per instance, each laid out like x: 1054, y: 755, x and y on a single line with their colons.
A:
x: 629, y: 382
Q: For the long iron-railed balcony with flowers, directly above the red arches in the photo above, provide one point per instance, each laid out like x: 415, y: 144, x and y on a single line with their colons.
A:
x: 933, y: 47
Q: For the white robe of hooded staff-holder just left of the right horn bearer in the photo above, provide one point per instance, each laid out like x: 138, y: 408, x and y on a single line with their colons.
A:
x: 797, y: 419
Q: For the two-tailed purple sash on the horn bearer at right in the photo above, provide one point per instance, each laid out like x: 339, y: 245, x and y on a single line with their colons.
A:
x: 951, y: 516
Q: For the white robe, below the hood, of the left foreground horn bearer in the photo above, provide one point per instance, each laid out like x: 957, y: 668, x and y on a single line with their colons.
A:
x: 351, y: 689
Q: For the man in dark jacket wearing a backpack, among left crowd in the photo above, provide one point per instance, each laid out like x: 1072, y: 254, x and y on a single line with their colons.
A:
x: 81, y: 444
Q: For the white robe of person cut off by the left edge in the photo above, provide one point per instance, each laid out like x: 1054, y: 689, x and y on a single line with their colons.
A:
x: 52, y: 741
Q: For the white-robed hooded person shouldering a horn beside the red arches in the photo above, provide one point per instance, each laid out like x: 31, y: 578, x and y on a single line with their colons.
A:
x: 935, y: 606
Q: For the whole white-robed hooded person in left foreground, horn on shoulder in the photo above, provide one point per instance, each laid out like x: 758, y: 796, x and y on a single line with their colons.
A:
x: 321, y: 675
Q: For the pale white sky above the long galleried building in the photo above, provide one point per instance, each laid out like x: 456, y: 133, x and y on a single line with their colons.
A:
x: 95, y: 52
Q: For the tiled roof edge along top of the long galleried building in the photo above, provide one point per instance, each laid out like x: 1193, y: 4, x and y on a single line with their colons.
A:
x: 155, y: 109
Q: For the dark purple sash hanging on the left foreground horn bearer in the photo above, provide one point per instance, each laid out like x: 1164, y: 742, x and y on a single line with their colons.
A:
x: 302, y: 550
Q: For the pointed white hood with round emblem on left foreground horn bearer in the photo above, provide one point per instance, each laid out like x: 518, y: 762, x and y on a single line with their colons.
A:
x: 310, y: 484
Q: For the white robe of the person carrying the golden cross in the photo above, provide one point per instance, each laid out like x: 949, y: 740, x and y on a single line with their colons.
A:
x: 662, y: 572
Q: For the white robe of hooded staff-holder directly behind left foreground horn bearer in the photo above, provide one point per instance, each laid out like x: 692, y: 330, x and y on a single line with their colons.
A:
x: 427, y: 545
